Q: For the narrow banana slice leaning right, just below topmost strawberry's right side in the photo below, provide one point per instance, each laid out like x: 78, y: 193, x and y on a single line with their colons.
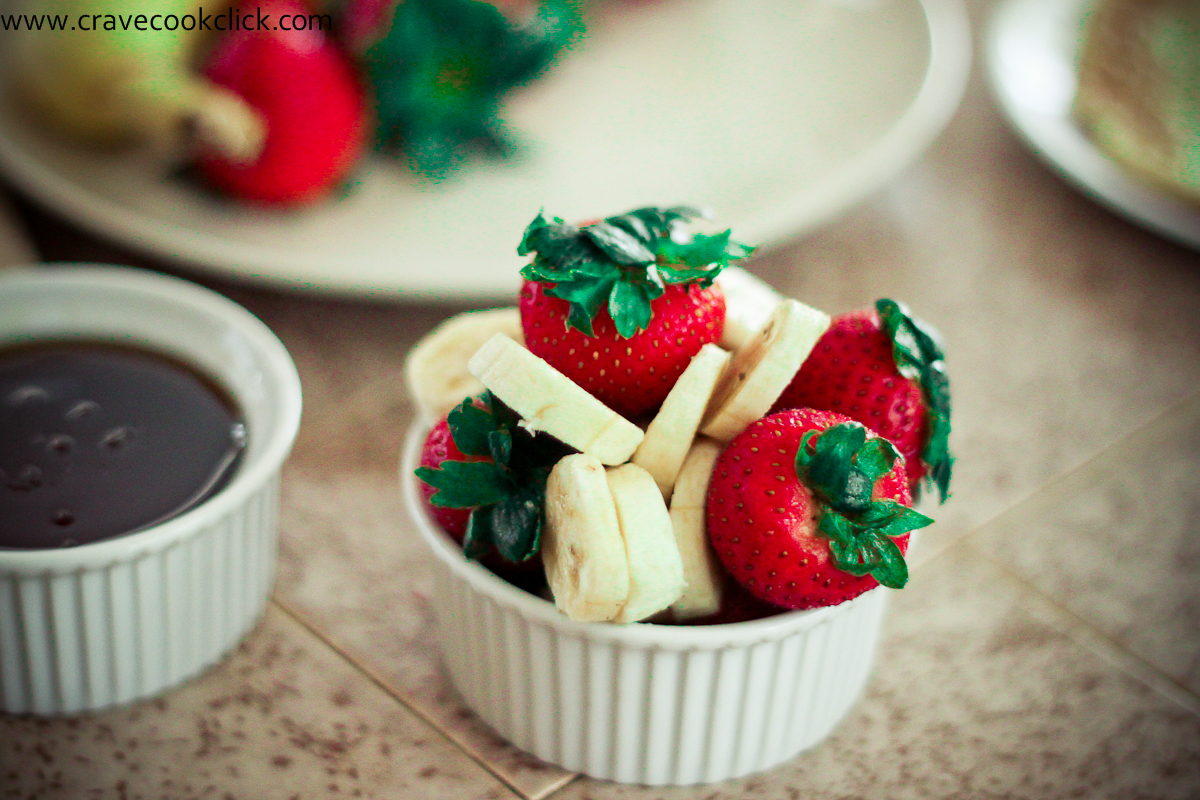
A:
x: 674, y: 428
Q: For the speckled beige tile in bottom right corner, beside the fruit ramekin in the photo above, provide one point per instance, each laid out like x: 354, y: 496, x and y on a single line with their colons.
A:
x: 977, y: 694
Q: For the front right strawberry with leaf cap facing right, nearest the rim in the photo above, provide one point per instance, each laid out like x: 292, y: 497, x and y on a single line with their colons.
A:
x: 809, y: 509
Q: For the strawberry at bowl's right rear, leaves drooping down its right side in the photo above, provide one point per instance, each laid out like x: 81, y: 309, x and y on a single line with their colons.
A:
x: 885, y: 369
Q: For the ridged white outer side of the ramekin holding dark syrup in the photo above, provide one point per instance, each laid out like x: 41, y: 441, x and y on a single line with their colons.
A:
x: 109, y: 635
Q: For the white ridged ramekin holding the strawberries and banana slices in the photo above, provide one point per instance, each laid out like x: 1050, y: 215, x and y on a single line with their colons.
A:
x: 643, y: 703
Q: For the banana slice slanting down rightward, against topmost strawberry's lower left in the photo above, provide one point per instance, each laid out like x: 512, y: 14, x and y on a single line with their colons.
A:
x: 549, y: 401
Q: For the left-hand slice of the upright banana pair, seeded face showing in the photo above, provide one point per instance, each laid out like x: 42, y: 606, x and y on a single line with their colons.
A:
x: 581, y: 545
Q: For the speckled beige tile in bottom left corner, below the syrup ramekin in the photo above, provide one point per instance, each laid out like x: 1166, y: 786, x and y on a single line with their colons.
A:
x: 284, y: 719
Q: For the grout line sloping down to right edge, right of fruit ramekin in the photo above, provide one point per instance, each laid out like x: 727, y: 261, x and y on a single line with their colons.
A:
x: 1087, y: 635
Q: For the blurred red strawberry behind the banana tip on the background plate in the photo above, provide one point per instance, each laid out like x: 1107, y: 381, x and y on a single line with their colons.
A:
x: 310, y: 99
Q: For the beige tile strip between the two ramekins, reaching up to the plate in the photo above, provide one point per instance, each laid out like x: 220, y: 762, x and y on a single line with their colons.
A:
x: 351, y: 561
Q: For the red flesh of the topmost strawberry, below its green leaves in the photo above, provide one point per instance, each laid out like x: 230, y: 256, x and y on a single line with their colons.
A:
x: 631, y: 376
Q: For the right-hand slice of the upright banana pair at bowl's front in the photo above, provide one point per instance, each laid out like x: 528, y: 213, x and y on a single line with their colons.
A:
x: 656, y: 570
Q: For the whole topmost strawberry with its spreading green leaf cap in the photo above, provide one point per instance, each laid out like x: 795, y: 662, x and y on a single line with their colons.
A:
x: 621, y: 306
